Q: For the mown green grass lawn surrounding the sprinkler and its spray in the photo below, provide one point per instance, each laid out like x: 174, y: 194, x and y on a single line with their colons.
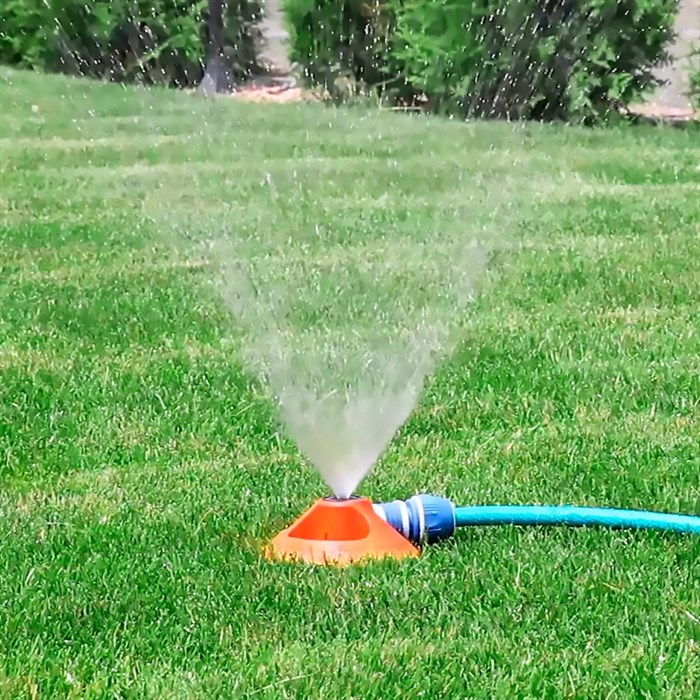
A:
x: 142, y: 469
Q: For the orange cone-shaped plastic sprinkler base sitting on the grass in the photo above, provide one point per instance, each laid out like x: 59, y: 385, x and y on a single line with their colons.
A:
x: 340, y: 532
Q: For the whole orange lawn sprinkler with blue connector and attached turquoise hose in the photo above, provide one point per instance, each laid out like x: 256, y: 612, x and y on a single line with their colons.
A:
x: 343, y: 531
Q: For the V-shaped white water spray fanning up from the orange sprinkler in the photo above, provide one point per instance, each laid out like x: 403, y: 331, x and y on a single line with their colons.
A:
x: 344, y: 336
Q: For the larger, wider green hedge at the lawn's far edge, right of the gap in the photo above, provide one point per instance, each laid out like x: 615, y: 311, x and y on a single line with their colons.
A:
x: 543, y: 59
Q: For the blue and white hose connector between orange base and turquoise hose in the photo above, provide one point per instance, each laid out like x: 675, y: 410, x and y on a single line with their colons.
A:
x: 422, y: 519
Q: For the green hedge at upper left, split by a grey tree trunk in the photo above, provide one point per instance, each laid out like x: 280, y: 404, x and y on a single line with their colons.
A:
x: 151, y: 41
